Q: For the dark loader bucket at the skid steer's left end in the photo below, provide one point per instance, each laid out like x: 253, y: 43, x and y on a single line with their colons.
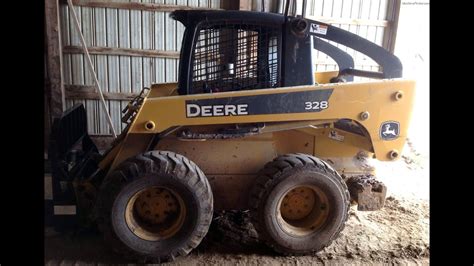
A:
x: 73, y: 156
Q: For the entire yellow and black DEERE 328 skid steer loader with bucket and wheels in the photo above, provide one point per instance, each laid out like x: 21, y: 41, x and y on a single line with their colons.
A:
x: 249, y: 125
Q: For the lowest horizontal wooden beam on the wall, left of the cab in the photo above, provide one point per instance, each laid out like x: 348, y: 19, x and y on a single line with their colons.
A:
x: 89, y: 93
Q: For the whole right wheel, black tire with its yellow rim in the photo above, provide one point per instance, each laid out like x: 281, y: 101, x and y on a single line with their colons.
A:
x: 299, y: 204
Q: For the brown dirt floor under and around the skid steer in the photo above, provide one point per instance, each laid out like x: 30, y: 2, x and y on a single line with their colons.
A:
x: 399, y: 233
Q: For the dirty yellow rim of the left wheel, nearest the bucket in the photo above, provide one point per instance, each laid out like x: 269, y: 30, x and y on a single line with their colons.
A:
x: 155, y: 213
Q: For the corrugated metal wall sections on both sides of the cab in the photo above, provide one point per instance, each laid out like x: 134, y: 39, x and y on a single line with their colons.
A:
x: 151, y: 30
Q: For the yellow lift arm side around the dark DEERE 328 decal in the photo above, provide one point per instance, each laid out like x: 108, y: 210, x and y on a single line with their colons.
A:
x: 348, y: 100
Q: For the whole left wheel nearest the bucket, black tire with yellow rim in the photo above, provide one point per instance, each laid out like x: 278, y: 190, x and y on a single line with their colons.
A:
x: 126, y: 207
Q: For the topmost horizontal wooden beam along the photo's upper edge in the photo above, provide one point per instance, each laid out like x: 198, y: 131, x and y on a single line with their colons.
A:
x: 134, y: 5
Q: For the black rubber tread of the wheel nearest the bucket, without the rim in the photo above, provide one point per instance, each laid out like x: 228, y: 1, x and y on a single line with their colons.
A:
x: 155, y: 168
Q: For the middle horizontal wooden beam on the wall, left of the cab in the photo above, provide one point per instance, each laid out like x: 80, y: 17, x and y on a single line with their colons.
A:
x: 122, y: 51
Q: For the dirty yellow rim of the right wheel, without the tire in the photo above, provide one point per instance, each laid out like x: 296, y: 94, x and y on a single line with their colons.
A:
x: 302, y: 210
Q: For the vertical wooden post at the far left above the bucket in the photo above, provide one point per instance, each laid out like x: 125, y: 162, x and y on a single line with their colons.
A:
x: 54, y: 58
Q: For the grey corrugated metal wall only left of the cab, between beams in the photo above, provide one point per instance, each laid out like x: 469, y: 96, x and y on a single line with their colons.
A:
x: 120, y: 28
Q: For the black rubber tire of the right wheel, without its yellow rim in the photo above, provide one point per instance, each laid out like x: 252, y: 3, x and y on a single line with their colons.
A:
x: 275, y: 180
